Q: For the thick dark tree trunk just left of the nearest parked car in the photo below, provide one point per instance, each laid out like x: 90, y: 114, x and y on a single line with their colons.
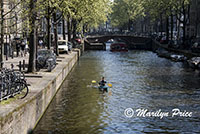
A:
x: 32, y: 39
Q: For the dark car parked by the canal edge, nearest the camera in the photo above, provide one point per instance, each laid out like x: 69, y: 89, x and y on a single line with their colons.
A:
x: 46, y: 59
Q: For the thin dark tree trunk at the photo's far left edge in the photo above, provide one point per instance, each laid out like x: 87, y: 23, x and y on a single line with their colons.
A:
x: 2, y: 34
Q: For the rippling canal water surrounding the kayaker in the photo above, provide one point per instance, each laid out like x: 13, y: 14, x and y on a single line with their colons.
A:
x: 141, y: 81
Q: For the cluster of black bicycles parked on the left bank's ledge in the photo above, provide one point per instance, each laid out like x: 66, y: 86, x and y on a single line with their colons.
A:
x: 12, y: 83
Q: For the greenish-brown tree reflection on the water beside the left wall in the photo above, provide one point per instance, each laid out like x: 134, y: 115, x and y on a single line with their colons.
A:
x: 76, y: 108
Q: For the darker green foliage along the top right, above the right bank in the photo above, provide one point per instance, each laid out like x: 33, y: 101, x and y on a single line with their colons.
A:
x: 125, y: 10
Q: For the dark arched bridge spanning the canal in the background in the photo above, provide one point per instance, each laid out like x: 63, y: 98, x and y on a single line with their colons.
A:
x: 133, y: 42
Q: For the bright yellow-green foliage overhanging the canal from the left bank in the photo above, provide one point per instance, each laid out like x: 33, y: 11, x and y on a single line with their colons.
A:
x: 86, y: 12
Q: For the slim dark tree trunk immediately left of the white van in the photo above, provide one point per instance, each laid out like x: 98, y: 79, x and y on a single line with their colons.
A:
x: 55, y: 34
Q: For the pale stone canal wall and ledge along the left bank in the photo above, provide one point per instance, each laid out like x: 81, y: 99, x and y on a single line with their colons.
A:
x: 21, y: 115
